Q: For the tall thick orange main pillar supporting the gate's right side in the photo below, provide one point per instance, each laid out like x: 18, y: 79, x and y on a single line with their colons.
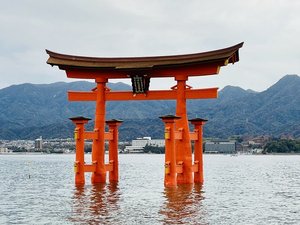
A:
x: 183, y: 146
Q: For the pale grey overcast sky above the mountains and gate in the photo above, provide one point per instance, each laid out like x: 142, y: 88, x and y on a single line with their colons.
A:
x: 269, y: 28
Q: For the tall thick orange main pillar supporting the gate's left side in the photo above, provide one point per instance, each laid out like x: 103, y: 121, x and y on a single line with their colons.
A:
x: 98, y: 149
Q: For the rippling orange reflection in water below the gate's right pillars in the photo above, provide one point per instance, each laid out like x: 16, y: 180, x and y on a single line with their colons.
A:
x: 183, y: 205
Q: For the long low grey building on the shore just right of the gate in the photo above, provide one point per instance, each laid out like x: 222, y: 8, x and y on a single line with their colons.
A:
x: 220, y: 146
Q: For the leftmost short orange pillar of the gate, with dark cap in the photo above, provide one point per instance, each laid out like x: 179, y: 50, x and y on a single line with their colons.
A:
x: 79, y: 140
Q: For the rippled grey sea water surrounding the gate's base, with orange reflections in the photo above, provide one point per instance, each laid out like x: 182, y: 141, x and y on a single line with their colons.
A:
x: 247, y: 189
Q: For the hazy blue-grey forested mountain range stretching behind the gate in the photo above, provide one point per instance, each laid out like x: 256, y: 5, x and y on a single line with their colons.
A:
x: 28, y: 111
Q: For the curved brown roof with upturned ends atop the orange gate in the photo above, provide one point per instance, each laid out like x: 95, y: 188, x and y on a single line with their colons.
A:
x: 218, y: 57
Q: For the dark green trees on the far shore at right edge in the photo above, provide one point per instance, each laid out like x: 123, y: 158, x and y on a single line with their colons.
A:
x: 282, y: 146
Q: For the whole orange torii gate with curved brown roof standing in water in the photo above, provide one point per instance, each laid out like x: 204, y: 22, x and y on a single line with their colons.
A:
x: 180, y: 168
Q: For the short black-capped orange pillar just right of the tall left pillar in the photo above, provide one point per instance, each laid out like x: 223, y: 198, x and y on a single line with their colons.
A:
x: 113, y: 149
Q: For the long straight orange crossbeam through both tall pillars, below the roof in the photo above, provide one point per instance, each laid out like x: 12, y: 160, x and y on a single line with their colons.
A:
x: 150, y: 95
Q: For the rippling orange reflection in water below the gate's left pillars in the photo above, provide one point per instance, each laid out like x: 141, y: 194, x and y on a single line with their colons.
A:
x: 95, y: 204
